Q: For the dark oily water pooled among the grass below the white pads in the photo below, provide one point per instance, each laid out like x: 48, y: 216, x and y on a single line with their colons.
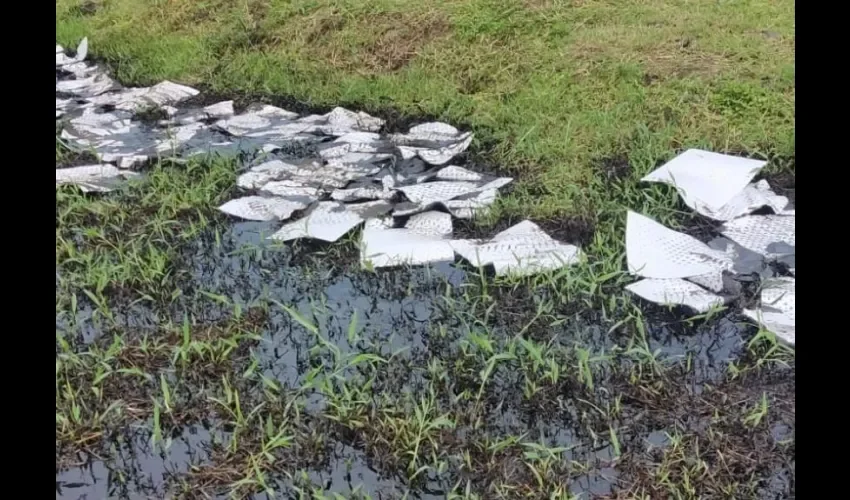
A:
x: 396, y: 310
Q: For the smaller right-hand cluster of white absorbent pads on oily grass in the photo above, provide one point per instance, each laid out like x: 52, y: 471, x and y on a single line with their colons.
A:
x: 679, y: 269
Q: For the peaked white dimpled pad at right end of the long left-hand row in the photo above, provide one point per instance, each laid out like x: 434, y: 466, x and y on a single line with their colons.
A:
x: 521, y: 250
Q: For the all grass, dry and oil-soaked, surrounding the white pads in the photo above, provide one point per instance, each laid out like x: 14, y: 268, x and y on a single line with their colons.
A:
x: 296, y: 373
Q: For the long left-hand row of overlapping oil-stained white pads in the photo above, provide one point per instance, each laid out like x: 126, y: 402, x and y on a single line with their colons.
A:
x: 399, y: 186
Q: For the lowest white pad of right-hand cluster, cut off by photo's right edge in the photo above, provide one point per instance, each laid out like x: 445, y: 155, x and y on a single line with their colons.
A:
x: 778, y: 308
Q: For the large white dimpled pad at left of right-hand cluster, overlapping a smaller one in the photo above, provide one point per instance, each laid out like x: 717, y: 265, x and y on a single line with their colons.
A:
x: 654, y: 251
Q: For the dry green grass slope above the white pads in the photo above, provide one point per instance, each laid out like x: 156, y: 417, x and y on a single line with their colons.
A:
x: 549, y: 86
